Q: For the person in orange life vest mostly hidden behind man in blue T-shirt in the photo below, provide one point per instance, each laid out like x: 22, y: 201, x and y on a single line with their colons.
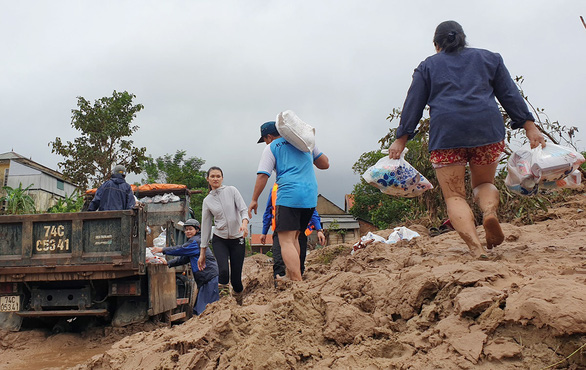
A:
x: 268, y: 220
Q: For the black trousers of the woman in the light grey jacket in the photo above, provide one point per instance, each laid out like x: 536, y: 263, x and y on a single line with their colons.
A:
x: 230, y: 256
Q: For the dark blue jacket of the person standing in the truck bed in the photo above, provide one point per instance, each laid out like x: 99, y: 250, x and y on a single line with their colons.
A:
x: 115, y: 194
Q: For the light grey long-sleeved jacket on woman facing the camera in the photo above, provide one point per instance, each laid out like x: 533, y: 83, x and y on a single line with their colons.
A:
x: 226, y: 208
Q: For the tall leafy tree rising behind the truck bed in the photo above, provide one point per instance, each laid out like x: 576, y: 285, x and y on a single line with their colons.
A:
x: 104, y: 127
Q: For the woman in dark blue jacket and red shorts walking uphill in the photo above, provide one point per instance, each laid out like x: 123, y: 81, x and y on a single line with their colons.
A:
x: 460, y: 84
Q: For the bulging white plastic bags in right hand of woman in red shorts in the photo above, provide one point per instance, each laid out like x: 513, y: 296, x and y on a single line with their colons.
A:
x: 552, y: 167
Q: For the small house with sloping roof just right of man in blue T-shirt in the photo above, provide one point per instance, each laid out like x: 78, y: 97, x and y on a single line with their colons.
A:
x: 341, y: 226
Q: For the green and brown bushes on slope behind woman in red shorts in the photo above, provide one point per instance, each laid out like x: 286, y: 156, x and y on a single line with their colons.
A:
x: 385, y: 211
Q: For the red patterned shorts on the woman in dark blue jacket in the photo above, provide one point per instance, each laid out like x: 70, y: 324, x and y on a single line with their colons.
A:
x: 482, y: 155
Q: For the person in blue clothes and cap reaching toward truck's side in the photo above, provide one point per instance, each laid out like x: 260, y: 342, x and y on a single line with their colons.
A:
x: 206, y: 279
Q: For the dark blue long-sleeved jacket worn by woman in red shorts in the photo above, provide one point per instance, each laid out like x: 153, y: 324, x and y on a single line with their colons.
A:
x: 460, y: 89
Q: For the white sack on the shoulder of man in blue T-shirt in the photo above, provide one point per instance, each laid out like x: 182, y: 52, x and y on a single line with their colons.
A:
x: 295, y: 131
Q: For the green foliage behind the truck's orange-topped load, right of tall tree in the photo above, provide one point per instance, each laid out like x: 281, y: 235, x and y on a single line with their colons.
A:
x: 178, y: 169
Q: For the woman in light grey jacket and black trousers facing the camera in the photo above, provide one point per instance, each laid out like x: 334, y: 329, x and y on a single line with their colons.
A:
x: 226, y: 207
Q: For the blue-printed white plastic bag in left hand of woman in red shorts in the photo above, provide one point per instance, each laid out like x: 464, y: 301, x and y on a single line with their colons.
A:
x: 397, y: 177
